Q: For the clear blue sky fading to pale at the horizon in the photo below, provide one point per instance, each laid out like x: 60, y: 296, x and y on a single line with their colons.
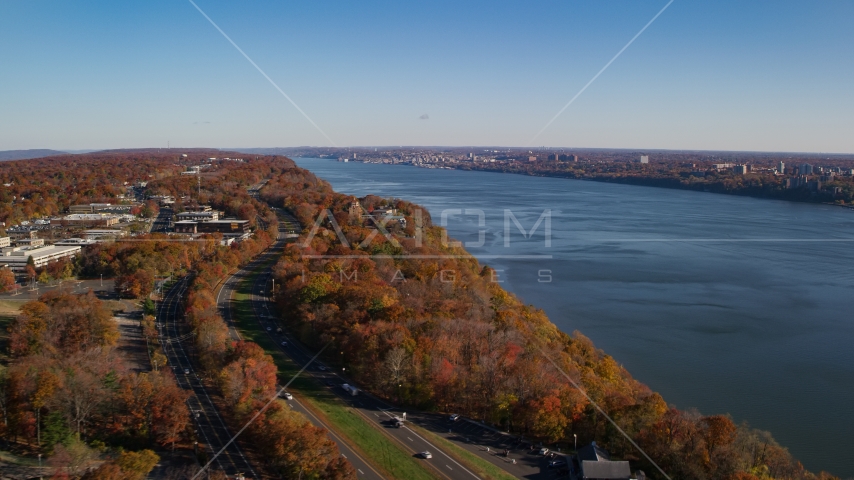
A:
x: 717, y: 75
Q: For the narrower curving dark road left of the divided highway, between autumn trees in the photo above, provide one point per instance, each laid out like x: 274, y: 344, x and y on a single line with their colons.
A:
x: 212, y: 432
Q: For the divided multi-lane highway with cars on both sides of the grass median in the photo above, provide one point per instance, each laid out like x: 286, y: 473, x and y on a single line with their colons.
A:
x: 370, y: 408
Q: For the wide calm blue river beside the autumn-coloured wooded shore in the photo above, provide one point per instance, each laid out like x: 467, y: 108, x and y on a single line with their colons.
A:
x: 724, y: 303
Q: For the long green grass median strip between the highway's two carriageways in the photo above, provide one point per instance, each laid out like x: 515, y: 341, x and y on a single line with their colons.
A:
x: 369, y: 441
